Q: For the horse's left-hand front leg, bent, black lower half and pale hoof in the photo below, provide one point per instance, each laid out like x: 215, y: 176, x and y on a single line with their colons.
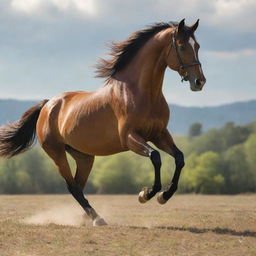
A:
x: 138, y: 145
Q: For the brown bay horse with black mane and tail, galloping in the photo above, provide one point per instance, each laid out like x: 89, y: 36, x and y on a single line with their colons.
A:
x: 125, y: 114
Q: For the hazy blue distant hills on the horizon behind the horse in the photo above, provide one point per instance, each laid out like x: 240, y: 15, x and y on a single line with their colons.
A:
x: 181, y: 117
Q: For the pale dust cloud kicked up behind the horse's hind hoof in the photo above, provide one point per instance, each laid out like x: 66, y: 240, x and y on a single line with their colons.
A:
x: 60, y: 215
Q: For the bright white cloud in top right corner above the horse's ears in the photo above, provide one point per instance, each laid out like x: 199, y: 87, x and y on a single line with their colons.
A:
x: 234, y: 14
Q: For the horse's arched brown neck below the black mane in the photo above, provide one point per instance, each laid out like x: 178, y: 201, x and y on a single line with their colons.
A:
x: 144, y: 74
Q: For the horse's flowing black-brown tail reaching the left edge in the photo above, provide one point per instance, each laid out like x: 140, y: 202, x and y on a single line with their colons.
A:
x: 19, y: 136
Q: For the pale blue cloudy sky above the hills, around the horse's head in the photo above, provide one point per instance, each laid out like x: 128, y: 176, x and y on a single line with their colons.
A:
x: 50, y: 46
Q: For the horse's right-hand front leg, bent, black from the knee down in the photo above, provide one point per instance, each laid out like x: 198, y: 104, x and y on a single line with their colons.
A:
x: 165, y: 142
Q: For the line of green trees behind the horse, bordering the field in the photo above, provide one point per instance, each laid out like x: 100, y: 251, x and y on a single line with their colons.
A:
x: 219, y: 161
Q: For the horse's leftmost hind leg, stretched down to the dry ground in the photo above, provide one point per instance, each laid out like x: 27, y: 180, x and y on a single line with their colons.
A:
x: 58, y: 154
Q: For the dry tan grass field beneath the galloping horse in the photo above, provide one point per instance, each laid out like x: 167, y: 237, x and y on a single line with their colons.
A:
x: 186, y: 225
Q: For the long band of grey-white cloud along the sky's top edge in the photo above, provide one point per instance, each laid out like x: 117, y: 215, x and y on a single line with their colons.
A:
x: 236, y: 14
